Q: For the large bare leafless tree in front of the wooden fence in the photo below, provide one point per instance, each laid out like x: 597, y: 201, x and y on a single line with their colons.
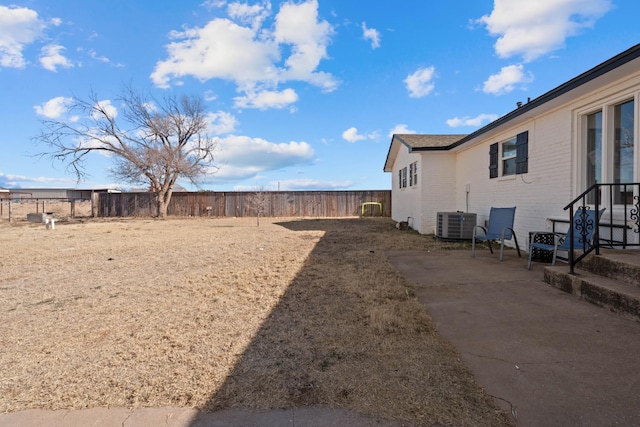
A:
x: 152, y: 143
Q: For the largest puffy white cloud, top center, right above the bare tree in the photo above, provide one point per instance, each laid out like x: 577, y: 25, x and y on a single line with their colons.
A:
x: 246, y: 51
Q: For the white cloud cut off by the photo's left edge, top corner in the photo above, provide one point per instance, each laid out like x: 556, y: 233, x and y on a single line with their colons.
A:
x: 19, y: 27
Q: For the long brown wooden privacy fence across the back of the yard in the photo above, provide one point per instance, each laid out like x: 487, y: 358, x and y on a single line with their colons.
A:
x: 249, y: 204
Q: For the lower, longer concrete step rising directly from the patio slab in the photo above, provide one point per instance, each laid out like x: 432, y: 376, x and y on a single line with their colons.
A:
x: 615, y: 295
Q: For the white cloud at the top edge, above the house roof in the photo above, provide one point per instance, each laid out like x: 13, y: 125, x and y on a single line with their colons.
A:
x: 534, y: 28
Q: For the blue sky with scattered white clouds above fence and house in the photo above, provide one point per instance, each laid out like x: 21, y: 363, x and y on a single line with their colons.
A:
x: 303, y: 95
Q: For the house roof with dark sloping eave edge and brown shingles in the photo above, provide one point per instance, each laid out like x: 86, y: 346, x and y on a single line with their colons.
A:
x: 613, y: 68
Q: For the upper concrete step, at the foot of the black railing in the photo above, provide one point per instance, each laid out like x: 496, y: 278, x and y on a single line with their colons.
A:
x: 621, y: 265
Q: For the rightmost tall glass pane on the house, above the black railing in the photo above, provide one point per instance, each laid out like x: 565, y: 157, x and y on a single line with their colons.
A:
x: 623, y: 149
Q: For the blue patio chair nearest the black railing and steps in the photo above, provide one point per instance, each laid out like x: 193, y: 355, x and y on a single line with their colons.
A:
x: 583, y: 220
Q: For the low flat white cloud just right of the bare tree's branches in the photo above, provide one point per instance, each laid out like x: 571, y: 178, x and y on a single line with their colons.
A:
x: 244, y: 157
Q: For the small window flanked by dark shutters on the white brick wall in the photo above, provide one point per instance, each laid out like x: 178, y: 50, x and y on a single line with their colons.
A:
x: 512, y: 156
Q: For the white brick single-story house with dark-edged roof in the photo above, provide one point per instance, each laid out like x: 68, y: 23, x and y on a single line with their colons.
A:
x: 538, y: 157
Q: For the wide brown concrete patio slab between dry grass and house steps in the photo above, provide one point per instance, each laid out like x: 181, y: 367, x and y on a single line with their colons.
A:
x: 547, y: 357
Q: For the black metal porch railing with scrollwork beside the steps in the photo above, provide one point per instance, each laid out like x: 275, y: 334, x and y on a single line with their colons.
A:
x: 619, y: 225
